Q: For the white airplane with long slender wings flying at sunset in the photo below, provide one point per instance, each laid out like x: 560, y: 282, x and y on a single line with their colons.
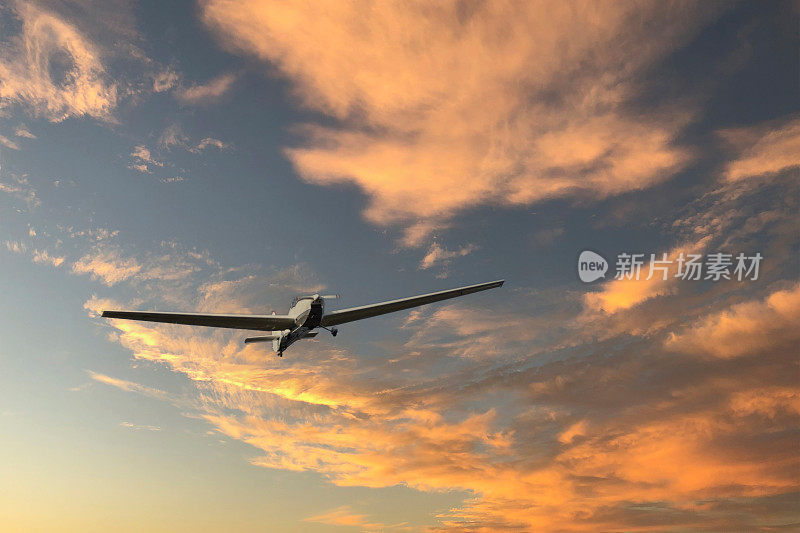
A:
x: 304, y: 317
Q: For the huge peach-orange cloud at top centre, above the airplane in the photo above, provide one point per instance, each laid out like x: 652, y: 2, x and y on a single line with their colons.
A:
x: 489, y: 104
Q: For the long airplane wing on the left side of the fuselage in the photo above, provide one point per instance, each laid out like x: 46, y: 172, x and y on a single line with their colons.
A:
x: 257, y: 322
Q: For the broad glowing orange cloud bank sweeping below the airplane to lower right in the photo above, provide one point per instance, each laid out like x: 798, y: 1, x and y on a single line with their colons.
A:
x: 361, y: 432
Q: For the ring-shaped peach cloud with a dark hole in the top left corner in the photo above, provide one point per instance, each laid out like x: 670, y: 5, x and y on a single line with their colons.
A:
x: 52, y: 68
